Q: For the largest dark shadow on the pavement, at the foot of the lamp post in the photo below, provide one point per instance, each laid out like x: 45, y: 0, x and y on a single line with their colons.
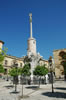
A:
x: 55, y: 94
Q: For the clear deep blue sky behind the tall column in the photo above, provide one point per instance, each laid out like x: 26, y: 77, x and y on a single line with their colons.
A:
x: 49, y: 25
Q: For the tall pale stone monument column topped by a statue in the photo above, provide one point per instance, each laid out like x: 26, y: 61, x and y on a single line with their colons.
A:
x: 31, y: 51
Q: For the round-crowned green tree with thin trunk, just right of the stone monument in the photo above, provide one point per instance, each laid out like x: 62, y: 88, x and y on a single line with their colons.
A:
x: 40, y: 71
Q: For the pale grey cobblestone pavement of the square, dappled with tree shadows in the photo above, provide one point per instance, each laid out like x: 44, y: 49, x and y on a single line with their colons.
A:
x: 33, y: 93
